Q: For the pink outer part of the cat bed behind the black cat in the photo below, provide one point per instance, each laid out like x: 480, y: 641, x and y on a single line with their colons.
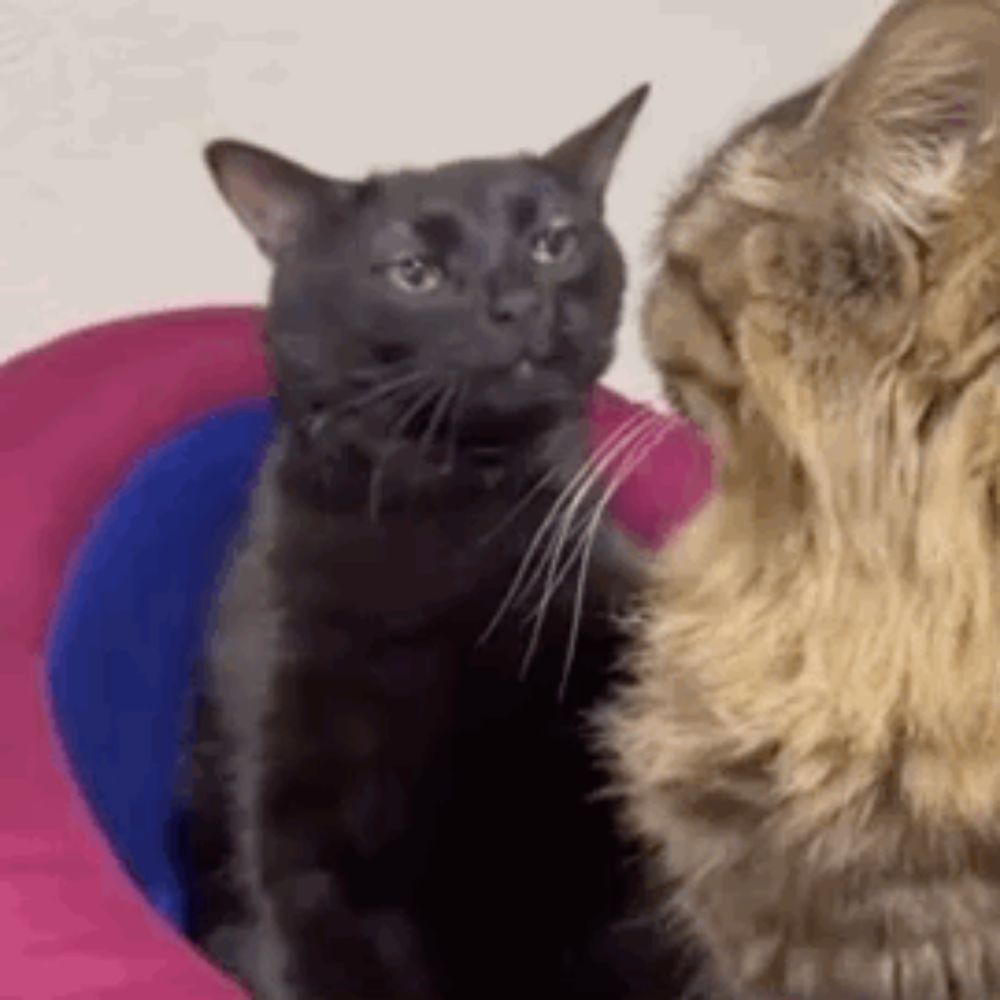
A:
x: 73, y: 417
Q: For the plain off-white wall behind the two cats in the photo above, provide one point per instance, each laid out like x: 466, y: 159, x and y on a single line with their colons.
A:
x: 105, y: 207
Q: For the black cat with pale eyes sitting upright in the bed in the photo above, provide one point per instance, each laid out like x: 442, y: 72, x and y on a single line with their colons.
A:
x: 391, y: 798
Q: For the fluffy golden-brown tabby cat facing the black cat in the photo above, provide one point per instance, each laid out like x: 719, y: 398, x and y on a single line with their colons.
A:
x: 809, y: 744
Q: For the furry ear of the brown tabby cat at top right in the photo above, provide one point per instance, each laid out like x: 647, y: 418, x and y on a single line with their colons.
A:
x: 906, y: 118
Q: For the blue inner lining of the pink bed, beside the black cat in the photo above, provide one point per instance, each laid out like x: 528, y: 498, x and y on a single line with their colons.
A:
x: 129, y: 628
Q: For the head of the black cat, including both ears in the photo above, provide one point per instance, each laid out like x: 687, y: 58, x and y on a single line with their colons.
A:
x: 476, y: 300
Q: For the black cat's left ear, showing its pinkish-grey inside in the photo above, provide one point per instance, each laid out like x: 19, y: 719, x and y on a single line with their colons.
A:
x: 274, y: 198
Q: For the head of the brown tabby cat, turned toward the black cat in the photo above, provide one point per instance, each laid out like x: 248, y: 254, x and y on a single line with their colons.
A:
x: 829, y: 283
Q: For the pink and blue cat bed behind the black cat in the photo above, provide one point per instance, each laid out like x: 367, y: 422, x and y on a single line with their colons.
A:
x: 129, y: 450
